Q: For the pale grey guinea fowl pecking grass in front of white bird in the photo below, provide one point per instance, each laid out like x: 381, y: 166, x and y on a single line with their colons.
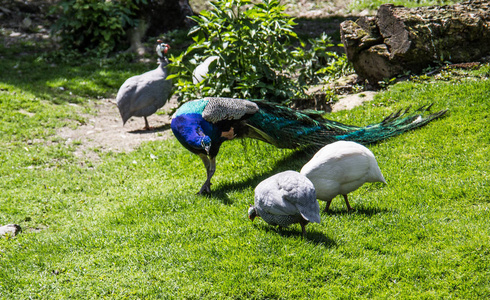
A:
x: 284, y: 199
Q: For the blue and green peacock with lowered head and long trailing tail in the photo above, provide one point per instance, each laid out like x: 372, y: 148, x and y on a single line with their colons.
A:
x: 203, y: 125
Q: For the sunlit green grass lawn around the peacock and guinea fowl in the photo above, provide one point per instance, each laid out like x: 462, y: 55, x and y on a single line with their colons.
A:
x: 131, y: 226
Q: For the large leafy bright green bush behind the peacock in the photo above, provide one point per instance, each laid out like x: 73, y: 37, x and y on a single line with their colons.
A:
x: 255, y: 44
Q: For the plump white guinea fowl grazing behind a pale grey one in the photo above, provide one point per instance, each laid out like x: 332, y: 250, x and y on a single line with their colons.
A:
x: 340, y: 168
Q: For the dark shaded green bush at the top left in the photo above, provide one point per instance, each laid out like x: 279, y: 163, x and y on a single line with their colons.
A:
x: 92, y: 25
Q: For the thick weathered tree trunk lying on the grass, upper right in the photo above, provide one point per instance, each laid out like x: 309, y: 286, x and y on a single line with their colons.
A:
x: 400, y: 40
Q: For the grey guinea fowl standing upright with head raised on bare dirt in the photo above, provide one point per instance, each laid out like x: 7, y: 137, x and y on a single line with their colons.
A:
x: 143, y: 95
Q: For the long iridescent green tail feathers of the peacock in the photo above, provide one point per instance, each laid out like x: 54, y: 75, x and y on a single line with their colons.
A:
x: 287, y: 128
